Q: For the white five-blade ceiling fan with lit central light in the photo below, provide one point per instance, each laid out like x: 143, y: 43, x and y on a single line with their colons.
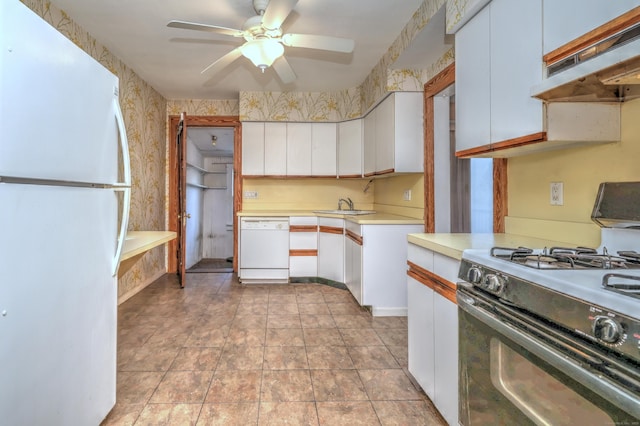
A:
x: 265, y: 40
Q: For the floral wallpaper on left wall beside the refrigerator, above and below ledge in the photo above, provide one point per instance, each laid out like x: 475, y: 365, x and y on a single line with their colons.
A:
x: 144, y: 112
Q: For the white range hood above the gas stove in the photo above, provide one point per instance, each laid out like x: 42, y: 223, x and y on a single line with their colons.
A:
x: 608, y: 71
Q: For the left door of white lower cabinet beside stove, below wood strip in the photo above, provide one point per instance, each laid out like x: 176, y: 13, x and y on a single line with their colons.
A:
x: 421, y: 335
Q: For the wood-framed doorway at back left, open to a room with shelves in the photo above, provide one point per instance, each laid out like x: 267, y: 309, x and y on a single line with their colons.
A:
x: 199, y: 177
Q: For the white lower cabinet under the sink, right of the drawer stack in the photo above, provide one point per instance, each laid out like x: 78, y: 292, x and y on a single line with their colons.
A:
x: 331, y: 249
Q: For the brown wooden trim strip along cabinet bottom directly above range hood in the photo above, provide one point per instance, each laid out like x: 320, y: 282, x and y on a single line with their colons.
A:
x: 596, y: 35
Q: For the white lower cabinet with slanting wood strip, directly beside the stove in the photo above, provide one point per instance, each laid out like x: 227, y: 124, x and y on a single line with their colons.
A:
x: 433, y: 328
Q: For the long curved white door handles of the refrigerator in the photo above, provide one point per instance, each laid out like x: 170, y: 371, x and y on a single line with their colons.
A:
x: 125, y: 186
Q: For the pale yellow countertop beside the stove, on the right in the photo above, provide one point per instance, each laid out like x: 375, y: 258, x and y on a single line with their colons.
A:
x: 452, y: 245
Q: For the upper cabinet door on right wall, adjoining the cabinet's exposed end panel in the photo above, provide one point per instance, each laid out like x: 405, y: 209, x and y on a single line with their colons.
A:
x: 385, y: 135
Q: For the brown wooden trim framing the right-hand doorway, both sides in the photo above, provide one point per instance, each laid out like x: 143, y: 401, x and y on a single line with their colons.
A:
x: 431, y: 88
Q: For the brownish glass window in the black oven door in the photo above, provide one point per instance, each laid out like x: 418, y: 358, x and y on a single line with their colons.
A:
x: 541, y: 397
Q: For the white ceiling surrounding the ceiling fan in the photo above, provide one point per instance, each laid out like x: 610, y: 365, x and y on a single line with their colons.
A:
x: 171, y: 59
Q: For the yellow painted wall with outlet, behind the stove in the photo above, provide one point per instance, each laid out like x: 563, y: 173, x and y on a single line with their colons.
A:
x: 581, y: 170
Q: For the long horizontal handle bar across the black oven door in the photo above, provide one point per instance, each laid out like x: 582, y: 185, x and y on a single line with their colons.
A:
x: 596, y: 383
